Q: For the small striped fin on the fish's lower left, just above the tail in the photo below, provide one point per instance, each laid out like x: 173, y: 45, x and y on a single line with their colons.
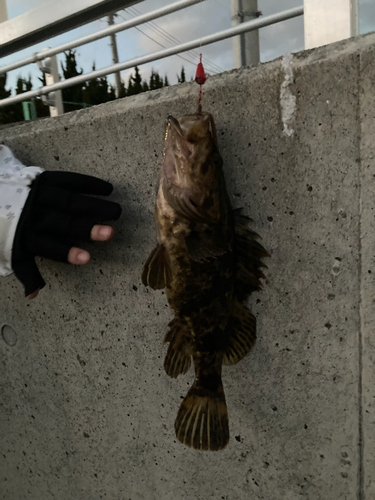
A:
x: 178, y: 358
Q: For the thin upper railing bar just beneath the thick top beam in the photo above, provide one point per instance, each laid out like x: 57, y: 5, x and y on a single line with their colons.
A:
x: 144, y: 18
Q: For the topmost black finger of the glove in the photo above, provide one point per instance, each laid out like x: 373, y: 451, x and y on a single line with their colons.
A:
x: 78, y: 183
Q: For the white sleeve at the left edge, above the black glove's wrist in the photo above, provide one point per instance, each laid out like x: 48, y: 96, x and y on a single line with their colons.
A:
x: 15, y: 180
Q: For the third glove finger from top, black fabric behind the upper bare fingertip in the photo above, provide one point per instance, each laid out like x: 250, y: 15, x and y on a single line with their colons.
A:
x: 63, y: 225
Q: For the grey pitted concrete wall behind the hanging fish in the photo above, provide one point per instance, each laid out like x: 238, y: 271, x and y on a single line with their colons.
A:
x: 87, y: 410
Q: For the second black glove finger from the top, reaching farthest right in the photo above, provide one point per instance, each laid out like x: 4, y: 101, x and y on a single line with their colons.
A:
x: 77, y: 204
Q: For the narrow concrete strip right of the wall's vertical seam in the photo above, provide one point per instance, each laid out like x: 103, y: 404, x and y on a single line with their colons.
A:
x: 367, y: 228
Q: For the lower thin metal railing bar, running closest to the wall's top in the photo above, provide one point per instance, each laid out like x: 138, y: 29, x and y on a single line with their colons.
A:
x: 206, y: 40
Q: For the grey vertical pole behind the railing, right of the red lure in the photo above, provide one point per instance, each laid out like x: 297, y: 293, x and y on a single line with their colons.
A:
x: 245, y: 46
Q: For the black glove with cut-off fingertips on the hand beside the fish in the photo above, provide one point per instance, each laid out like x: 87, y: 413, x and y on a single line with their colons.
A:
x: 54, y: 218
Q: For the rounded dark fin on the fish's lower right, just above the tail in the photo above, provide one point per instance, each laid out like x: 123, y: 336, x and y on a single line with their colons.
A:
x: 242, y: 335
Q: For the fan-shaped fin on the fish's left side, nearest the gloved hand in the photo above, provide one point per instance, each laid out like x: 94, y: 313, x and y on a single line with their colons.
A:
x: 156, y: 271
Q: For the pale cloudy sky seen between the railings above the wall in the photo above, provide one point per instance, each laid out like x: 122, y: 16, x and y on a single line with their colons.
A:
x: 191, y: 23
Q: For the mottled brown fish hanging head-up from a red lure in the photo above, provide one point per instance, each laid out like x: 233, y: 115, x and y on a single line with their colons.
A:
x: 209, y: 261
